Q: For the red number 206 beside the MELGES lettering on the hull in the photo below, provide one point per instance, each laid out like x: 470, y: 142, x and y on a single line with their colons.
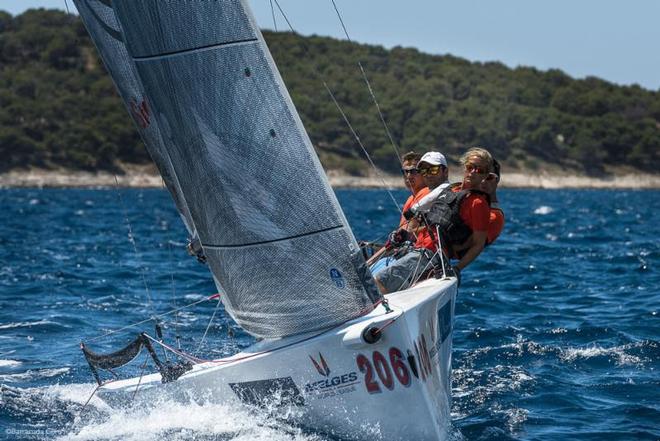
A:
x: 382, y: 371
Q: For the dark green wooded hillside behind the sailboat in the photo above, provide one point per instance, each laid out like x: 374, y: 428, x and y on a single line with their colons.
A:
x: 59, y: 108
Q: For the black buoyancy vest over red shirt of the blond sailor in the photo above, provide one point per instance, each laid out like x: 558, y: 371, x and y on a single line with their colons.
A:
x: 445, y: 214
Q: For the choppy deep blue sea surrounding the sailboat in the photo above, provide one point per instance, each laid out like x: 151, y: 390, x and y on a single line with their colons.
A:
x: 557, y: 333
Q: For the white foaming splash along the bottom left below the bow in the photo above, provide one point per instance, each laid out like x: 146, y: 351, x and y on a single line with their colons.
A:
x: 58, y: 412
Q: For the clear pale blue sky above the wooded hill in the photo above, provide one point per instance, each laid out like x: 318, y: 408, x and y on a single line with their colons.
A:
x: 612, y: 39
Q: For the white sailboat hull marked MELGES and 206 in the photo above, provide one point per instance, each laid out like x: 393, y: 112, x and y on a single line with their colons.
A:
x: 395, y: 389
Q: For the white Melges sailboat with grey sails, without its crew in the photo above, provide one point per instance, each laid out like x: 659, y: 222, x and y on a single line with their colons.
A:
x: 217, y: 119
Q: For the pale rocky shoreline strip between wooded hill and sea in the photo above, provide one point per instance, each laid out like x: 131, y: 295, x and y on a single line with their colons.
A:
x: 145, y: 177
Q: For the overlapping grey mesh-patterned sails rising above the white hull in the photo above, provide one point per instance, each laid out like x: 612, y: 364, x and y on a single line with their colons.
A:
x: 237, y: 160
